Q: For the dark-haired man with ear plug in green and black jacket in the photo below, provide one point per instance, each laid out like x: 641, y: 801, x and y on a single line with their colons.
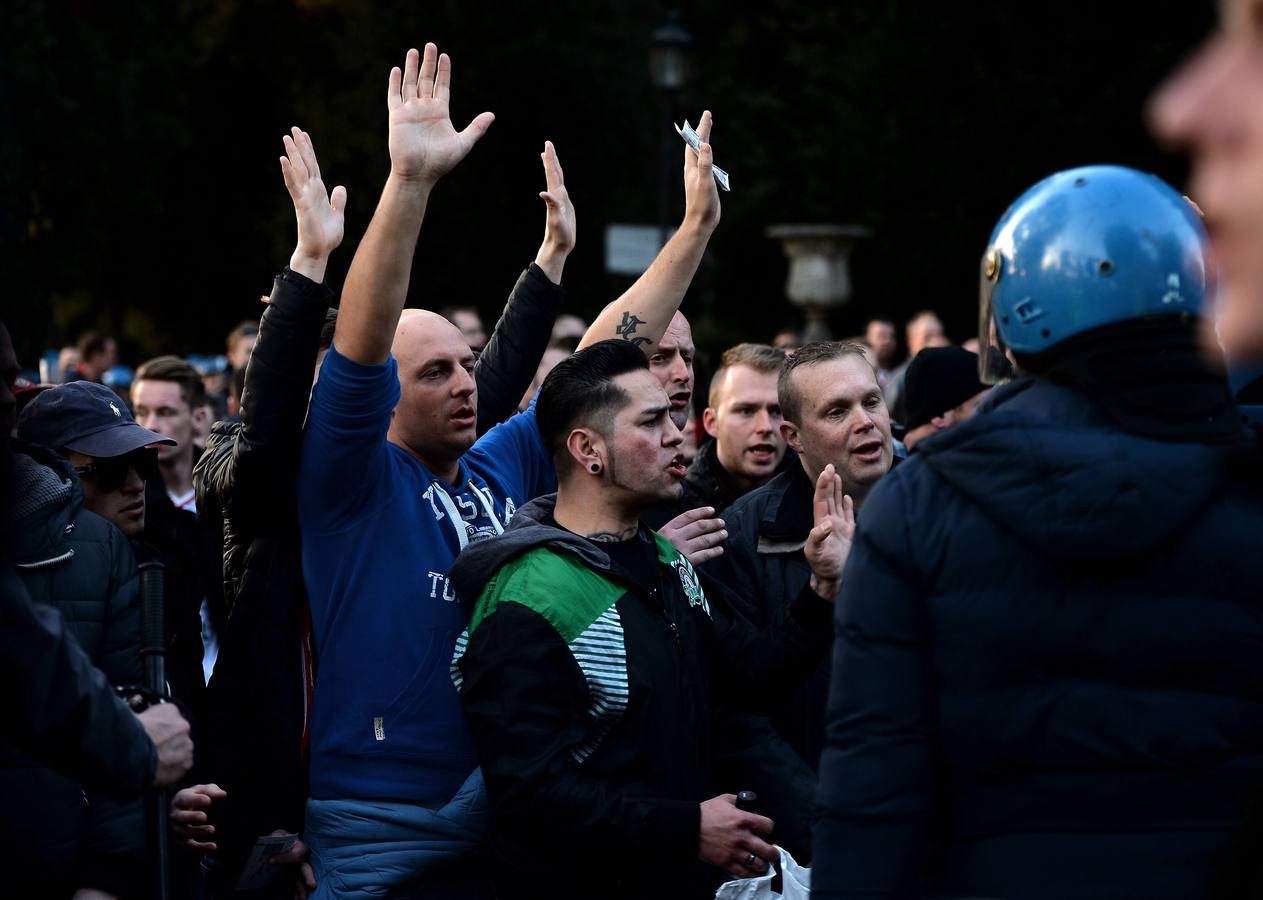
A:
x: 596, y: 653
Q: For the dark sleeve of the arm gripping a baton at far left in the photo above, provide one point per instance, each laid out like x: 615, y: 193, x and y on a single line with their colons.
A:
x: 63, y: 711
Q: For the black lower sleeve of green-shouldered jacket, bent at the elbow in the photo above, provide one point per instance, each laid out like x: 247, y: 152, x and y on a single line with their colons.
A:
x: 527, y: 706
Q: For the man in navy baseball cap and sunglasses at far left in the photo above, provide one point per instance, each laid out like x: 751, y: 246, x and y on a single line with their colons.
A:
x: 83, y: 565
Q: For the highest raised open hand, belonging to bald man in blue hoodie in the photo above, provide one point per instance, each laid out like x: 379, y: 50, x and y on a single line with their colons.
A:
x: 424, y: 143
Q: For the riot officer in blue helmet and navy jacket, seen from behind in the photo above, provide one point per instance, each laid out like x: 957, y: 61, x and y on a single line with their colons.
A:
x: 1054, y: 680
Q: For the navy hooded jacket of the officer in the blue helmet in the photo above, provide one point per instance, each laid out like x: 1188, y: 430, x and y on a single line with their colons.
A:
x: 1046, y: 665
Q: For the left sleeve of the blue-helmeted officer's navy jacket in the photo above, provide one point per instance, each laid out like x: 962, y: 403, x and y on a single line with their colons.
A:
x: 878, y: 767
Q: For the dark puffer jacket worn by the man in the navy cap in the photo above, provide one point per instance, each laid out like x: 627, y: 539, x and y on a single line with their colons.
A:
x: 78, y: 562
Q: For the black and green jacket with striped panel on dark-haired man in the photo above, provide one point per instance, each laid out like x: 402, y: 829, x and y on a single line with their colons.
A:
x: 590, y: 696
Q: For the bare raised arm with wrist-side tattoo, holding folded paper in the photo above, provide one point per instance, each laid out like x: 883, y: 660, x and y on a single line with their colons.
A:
x: 645, y: 311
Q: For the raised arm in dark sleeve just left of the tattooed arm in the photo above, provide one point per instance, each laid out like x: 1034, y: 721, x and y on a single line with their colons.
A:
x: 508, y: 364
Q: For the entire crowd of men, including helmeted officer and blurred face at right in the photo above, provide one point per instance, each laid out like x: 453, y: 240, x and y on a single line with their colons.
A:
x: 512, y: 614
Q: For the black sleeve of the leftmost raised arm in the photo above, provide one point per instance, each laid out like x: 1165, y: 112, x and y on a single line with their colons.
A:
x: 253, y: 471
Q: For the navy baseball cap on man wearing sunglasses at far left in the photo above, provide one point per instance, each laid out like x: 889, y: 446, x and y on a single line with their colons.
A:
x: 84, y: 417
